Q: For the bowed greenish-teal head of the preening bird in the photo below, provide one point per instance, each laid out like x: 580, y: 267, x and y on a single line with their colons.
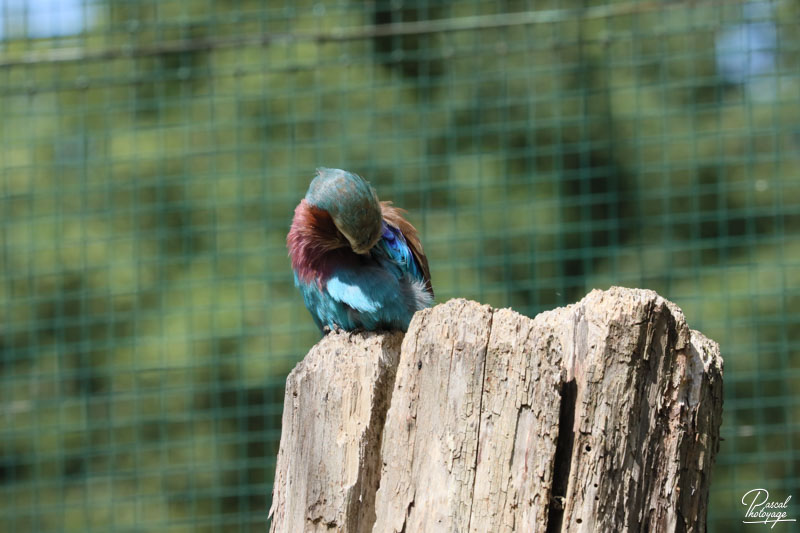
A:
x: 352, y: 204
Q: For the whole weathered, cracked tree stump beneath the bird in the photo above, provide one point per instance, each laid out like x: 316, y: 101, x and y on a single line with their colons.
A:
x: 600, y: 416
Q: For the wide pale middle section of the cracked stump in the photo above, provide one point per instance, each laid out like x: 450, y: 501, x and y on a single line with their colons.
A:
x: 471, y: 433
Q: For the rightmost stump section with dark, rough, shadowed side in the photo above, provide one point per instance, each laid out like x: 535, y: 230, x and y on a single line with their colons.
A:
x: 647, y: 414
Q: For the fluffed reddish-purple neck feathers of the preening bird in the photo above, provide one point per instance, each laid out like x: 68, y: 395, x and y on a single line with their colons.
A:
x: 312, y: 236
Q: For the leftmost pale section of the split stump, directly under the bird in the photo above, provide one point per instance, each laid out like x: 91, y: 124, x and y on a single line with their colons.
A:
x: 333, y: 414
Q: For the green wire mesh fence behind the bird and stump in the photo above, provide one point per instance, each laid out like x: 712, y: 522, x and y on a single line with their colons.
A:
x: 152, y: 152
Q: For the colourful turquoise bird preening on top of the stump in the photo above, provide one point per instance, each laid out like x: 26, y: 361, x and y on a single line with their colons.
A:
x: 359, y: 264
